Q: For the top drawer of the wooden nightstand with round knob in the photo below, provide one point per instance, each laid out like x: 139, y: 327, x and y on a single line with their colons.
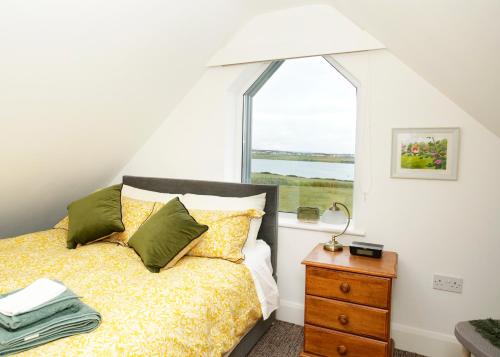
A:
x: 352, y: 287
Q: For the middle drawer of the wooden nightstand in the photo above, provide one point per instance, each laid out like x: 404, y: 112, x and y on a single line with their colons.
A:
x: 344, y: 316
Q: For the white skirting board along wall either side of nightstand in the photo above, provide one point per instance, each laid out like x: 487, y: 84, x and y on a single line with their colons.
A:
x: 424, y: 342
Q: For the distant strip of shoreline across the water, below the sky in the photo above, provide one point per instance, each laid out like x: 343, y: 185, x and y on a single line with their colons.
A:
x: 299, y: 156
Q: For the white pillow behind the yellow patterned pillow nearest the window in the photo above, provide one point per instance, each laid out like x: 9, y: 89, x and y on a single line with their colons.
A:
x: 207, y: 202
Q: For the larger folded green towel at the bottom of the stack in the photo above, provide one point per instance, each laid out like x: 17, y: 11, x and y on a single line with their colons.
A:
x: 68, y: 322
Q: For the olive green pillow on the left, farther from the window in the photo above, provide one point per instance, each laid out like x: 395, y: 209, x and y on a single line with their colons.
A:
x: 95, y: 217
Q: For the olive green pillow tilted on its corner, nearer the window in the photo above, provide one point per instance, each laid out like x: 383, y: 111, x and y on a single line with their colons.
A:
x: 167, y: 236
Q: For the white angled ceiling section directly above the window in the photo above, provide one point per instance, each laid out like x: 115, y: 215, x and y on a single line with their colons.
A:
x: 315, y: 29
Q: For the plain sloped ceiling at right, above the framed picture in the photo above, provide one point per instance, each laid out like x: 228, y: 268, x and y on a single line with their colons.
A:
x: 453, y: 44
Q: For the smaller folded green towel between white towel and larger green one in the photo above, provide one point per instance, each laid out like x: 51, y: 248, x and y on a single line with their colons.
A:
x: 66, y: 300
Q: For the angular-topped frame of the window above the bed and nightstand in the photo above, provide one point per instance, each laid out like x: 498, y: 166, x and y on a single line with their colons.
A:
x: 248, y: 95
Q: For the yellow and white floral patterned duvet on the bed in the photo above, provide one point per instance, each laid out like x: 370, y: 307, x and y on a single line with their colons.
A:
x: 201, y: 307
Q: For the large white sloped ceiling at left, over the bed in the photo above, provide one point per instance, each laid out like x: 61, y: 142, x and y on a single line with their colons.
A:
x: 84, y: 83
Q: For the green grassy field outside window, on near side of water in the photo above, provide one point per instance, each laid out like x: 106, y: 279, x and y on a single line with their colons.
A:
x: 299, y: 191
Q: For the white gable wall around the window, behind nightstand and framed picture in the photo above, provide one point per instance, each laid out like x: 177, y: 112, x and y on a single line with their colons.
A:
x: 435, y: 226
